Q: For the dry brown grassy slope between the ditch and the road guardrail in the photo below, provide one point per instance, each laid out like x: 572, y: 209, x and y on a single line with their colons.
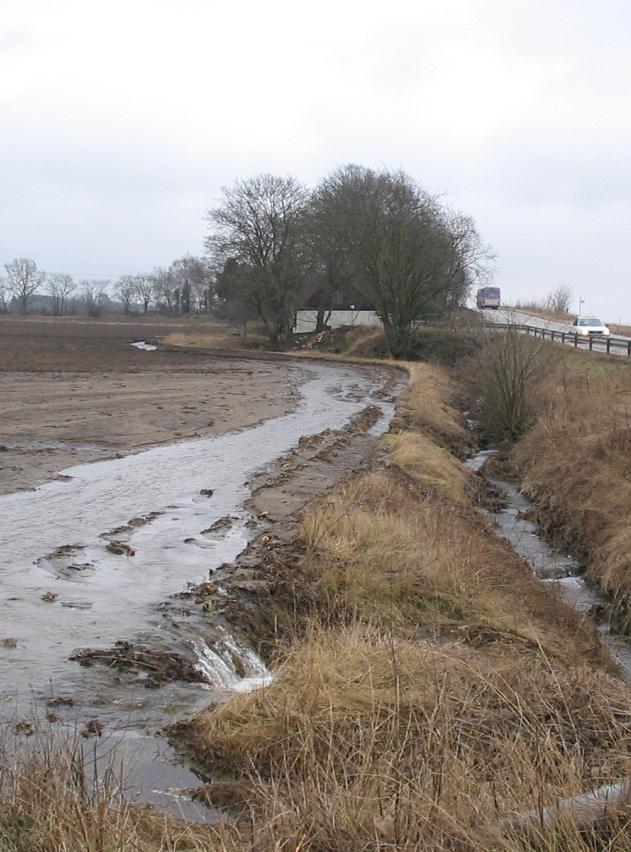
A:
x: 569, y: 437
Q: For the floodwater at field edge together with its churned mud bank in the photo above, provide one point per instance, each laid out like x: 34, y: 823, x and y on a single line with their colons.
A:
x: 192, y: 645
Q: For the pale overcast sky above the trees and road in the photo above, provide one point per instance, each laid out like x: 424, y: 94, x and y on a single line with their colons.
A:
x: 121, y: 119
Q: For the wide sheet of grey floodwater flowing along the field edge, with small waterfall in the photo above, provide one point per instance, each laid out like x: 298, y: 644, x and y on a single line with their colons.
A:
x: 88, y: 559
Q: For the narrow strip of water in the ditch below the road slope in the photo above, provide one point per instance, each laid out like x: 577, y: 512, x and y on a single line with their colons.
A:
x: 551, y: 566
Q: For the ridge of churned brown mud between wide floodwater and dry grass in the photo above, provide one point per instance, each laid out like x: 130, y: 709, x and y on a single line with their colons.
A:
x: 243, y: 596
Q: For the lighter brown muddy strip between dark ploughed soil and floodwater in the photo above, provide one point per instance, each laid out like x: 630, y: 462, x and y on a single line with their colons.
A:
x: 51, y: 421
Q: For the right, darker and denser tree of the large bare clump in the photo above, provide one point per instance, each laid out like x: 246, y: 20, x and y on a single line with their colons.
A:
x: 412, y: 257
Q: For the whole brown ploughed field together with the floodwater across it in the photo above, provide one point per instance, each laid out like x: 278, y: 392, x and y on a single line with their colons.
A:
x: 116, y: 560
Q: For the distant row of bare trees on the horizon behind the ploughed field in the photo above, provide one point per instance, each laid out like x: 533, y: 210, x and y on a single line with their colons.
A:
x: 186, y: 286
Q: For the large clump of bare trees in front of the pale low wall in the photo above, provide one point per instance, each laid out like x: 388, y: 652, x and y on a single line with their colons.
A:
x: 361, y: 237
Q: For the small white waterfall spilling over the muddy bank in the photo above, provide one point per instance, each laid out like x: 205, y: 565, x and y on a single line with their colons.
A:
x: 222, y: 663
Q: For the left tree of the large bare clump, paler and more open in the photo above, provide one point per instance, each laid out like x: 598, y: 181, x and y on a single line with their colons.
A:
x: 259, y: 225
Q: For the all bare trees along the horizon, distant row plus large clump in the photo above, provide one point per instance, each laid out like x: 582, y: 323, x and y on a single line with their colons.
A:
x: 360, y: 238
